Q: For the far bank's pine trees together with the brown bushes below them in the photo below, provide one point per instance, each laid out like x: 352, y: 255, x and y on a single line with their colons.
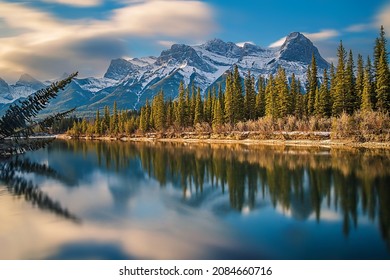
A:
x: 347, y: 102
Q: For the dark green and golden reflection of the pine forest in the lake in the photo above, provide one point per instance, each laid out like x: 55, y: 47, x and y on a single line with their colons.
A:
x: 352, y: 182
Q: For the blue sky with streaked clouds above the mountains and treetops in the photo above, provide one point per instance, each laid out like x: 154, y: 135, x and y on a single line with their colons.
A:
x: 48, y: 37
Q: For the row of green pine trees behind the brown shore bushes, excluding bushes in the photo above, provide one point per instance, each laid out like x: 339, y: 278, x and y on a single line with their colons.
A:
x: 344, y: 89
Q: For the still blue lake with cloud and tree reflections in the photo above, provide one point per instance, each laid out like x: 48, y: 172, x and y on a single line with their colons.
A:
x: 124, y: 200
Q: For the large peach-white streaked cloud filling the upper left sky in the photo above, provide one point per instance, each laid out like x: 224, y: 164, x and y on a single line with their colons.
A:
x: 43, y: 44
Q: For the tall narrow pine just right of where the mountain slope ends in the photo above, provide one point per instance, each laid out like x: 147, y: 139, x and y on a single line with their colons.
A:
x: 340, y: 89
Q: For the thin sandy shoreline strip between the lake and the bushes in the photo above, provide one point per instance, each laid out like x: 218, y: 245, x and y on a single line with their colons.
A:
x: 325, y: 143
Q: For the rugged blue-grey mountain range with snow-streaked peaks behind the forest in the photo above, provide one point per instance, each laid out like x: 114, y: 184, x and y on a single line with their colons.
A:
x: 131, y: 82
